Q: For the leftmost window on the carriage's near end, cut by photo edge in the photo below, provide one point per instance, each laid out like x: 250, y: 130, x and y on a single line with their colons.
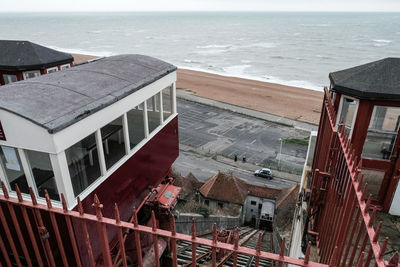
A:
x: 11, y: 164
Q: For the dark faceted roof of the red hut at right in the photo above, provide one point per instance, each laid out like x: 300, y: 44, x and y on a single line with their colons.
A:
x: 378, y: 80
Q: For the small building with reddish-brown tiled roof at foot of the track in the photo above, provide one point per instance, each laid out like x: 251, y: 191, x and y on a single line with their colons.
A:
x: 225, y: 189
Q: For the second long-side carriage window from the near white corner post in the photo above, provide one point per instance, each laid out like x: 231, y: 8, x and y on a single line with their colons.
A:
x: 113, y: 142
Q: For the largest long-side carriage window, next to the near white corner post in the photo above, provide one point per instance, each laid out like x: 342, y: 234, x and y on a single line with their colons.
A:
x: 83, y: 163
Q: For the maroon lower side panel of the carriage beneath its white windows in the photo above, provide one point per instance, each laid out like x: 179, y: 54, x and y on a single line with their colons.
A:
x: 128, y: 186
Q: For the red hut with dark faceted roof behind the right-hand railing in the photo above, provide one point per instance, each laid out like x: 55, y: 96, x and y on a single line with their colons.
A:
x: 366, y: 99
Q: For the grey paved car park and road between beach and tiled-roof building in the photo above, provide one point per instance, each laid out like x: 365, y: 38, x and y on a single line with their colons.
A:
x: 210, y: 137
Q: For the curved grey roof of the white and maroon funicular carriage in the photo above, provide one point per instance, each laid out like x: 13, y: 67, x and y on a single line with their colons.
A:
x: 57, y: 100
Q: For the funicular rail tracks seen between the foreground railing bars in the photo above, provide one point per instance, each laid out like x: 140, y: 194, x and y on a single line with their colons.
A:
x: 247, y: 237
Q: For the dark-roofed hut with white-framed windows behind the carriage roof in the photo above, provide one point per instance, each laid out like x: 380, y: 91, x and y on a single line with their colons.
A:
x: 21, y: 60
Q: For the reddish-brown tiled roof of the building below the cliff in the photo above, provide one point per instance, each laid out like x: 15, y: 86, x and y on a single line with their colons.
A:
x: 229, y: 188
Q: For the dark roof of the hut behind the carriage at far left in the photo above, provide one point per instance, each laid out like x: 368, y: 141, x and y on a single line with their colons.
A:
x: 24, y: 55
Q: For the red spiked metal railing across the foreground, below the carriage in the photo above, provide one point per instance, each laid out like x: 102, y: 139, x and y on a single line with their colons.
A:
x: 48, y: 244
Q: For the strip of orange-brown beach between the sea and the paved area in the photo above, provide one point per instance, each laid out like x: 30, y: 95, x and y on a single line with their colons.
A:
x: 280, y: 100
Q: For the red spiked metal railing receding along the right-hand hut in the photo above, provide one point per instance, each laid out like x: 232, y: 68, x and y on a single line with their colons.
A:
x: 344, y: 224
